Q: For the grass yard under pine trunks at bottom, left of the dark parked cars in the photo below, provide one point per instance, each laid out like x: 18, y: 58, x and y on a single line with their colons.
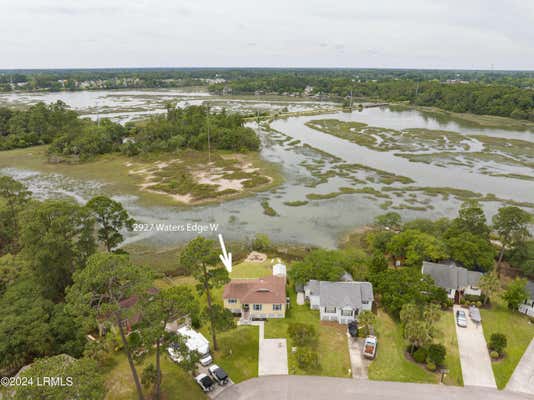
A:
x: 176, y: 383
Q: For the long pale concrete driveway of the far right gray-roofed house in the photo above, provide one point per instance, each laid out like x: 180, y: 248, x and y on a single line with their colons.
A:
x: 474, y: 356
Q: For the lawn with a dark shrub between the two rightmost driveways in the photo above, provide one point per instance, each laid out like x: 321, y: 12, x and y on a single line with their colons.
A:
x: 499, y: 319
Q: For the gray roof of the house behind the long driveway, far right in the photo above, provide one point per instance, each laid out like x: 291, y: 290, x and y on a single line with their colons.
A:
x: 450, y: 276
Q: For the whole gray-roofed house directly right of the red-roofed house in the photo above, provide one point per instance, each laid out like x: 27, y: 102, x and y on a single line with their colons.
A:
x: 339, y: 301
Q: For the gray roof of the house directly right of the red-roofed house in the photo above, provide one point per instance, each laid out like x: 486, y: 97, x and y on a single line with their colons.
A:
x: 345, y: 294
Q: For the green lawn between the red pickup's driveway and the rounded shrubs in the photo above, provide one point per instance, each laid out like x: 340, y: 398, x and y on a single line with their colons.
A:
x: 390, y: 363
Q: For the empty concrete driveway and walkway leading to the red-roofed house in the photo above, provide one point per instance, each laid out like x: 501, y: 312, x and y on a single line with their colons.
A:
x: 272, y: 354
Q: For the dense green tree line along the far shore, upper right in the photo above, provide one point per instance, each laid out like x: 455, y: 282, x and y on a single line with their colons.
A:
x: 501, y: 99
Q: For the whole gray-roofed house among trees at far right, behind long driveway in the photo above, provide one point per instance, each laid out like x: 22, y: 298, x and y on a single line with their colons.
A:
x: 456, y: 280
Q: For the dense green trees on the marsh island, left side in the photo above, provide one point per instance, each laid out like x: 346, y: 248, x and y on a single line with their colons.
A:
x: 70, y: 136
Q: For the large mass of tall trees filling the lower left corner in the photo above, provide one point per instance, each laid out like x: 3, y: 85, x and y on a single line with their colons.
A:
x: 63, y: 277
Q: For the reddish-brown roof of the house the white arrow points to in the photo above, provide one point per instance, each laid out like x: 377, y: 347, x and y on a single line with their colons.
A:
x: 267, y: 290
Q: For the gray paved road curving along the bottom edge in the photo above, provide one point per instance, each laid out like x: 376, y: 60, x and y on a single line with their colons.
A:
x: 294, y: 387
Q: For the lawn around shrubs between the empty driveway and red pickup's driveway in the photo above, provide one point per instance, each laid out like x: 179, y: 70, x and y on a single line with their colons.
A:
x: 332, y: 347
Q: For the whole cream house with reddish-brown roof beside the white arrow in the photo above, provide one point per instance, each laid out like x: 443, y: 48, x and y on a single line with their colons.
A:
x: 257, y: 298
